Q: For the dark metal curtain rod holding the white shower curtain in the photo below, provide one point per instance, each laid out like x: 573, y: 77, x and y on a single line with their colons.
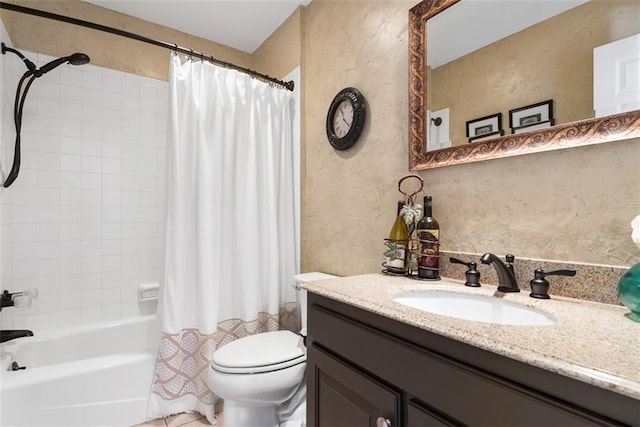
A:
x: 127, y: 34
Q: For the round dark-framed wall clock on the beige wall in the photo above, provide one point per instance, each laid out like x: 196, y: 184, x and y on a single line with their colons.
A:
x: 346, y: 118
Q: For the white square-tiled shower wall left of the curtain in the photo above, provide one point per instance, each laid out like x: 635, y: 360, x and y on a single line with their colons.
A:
x: 83, y: 223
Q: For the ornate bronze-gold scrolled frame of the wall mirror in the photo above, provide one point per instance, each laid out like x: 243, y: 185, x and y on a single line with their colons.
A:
x: 584, y: 132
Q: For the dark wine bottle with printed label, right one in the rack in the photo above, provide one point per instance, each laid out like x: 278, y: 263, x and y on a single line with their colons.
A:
x: 428, y: 234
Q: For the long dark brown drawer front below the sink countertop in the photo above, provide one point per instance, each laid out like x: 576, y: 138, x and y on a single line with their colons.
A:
x: 458, y: 391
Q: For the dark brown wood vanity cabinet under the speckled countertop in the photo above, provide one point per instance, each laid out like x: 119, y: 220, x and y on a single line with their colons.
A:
x: 364, y: 369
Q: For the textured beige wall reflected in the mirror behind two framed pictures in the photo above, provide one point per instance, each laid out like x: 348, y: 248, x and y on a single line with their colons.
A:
x: 506, y: 75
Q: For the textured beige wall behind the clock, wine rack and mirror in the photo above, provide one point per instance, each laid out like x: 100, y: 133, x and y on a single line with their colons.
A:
x: 568, y: 205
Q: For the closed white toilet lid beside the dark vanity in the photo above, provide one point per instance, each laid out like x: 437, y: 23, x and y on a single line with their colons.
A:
x: 260, y: 353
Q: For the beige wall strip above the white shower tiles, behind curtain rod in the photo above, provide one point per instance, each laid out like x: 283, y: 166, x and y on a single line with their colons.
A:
x: 106, y: 50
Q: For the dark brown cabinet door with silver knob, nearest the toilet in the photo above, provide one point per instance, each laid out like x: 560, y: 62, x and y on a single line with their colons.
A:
x: 341, y: 396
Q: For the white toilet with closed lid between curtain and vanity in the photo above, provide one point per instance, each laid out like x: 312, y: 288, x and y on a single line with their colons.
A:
x: 257, y: 373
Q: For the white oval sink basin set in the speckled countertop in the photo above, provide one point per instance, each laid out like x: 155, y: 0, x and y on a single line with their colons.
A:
x: 474, y: 307
